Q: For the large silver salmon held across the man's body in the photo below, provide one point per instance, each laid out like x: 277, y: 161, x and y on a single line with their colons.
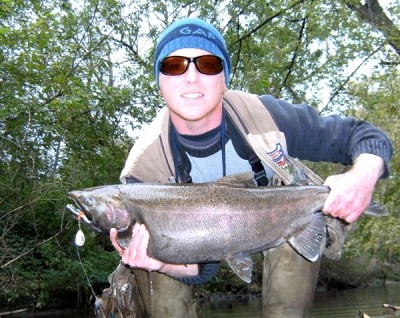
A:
x: 198, y: 223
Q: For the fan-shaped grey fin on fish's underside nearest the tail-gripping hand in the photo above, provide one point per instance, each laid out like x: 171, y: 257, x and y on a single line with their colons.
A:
x: 308, y: 241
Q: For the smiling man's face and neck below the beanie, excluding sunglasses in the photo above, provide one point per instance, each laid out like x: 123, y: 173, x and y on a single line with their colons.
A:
x: 194, y: 99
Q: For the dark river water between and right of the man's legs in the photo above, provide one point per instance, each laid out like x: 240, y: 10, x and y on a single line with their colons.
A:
x: 340, y: 304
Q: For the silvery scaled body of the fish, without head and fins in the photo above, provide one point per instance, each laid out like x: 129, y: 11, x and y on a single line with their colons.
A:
x: 192, y: 224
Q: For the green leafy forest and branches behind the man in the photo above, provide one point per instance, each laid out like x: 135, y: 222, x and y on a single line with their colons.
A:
x: 76, y: 85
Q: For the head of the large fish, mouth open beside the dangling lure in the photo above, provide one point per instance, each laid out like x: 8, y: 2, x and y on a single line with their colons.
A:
x: 102, y: 208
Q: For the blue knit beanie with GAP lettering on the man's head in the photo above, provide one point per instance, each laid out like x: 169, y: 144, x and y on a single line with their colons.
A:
x: 191, y: 33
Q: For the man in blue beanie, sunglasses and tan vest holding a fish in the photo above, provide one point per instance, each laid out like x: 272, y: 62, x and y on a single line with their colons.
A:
x: 198, y: 138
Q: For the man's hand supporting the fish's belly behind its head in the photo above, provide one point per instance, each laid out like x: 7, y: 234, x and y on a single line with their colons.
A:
x: 136, y: 254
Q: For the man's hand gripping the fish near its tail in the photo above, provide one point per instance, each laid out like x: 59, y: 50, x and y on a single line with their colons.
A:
x: 351, y: 192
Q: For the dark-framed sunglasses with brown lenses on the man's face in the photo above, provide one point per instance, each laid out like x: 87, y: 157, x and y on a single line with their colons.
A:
x: 205, y: 64
